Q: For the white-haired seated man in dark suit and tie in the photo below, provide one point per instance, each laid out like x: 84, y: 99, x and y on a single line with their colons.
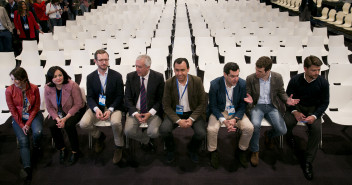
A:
x: 143, y: 98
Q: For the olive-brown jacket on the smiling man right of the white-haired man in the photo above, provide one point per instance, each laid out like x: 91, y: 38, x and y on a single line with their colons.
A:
x: 196, y: 98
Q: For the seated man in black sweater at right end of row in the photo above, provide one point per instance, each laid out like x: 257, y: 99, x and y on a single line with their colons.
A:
x: 313, y: 92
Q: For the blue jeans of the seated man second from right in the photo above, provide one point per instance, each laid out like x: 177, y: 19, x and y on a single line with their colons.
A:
x: 273, y: 116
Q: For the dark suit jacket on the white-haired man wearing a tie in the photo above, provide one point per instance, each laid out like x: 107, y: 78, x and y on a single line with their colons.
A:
x: 155, y: 90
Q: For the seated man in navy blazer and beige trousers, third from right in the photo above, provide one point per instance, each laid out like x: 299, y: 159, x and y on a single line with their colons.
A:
x: 227, y: 107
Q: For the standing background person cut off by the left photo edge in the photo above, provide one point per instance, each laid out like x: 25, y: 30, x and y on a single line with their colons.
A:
x: 6, y: 28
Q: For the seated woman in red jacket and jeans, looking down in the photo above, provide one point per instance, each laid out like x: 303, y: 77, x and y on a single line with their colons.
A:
x: 23, y: 100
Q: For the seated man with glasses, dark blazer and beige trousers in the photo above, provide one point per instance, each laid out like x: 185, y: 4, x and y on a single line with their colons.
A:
x: 105, y: 101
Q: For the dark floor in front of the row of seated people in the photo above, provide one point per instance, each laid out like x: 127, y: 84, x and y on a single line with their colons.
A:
x: 333, y: 164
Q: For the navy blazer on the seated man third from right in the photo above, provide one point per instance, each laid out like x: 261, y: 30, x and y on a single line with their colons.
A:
x: 217, y: 97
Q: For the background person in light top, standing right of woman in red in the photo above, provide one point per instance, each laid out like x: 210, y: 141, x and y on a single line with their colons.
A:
x: 54, y: 11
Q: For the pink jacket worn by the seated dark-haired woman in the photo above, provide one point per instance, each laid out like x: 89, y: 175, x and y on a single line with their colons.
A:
x: 71, y: 99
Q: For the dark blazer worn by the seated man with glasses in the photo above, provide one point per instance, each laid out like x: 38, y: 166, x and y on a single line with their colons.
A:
x: 114, y: 90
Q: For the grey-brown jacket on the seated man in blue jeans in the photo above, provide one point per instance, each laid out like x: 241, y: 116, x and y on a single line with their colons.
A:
x: 276, y: 89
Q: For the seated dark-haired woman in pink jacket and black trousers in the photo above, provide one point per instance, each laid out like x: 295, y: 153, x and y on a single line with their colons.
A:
x: 65, y: 105
